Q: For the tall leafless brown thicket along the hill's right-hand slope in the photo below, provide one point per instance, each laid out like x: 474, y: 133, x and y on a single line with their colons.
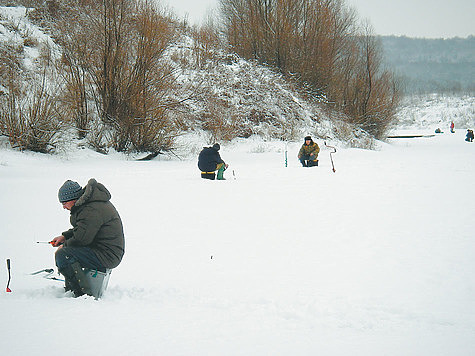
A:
x: 321, y: 43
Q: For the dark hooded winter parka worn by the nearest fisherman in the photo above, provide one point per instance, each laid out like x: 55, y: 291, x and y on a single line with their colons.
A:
x: 97, y: 225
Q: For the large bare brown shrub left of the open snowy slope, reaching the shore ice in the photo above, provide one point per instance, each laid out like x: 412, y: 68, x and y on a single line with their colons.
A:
x: 113, y: 60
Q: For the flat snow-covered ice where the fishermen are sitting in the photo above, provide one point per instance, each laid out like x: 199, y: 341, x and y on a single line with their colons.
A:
x: 375, y: 259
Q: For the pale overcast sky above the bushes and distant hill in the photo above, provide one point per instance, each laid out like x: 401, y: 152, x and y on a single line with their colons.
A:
x: 412, y: 18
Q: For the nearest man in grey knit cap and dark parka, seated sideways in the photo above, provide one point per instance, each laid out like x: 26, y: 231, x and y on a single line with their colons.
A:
x: 96, y: 239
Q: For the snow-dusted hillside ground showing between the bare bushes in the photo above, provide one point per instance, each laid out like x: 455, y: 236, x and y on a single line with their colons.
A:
x: 220, y: 98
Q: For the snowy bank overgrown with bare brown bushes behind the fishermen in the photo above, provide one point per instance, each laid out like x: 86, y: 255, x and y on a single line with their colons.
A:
x: 113, y: 75
